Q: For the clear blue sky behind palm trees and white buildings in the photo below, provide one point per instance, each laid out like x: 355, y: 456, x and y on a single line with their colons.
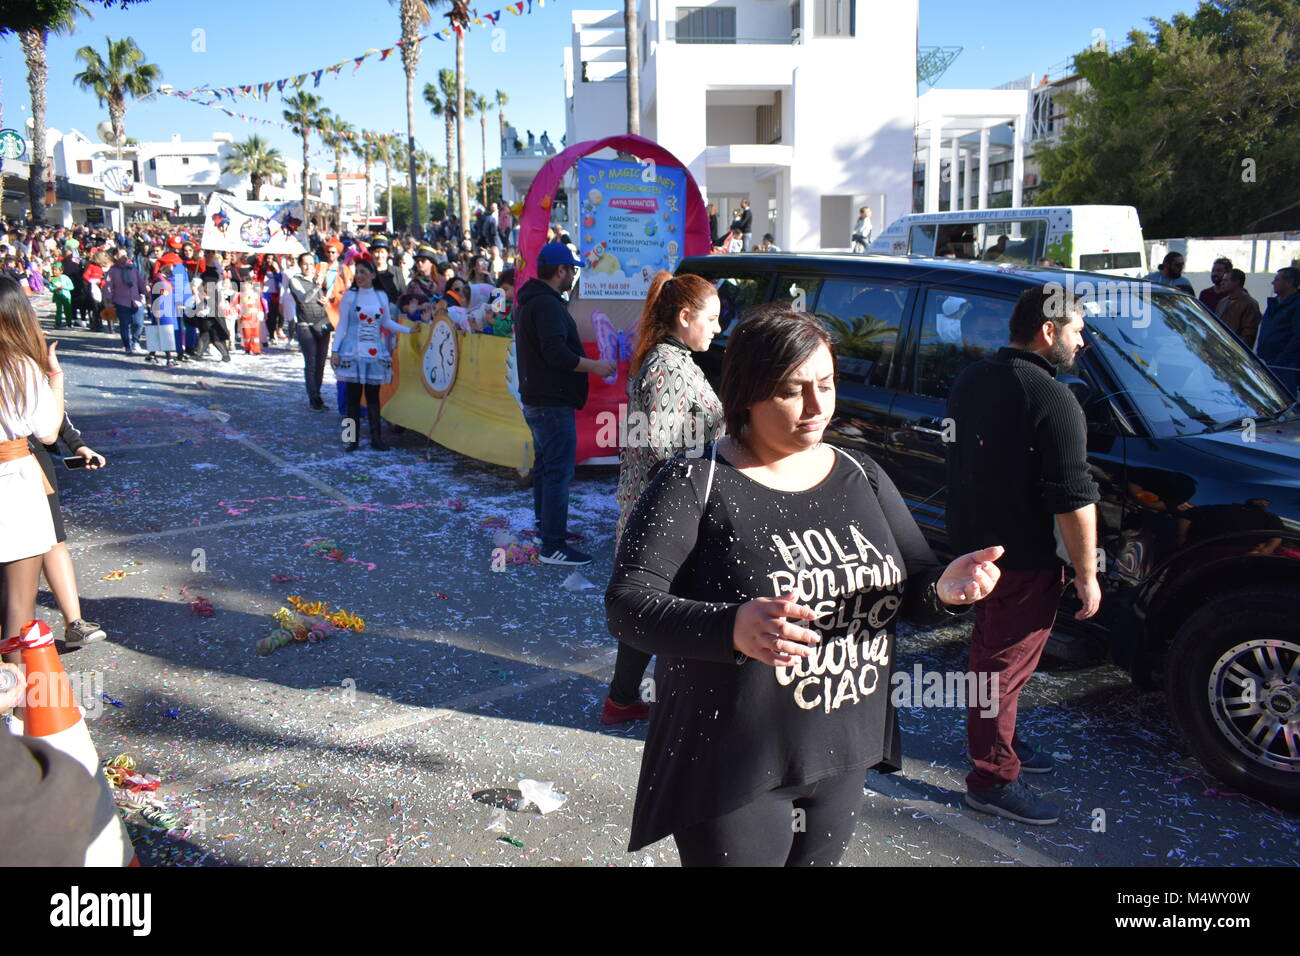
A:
x: 253, y: 42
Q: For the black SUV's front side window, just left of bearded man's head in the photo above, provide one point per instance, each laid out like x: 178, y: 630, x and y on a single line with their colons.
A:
x: 957, y: 330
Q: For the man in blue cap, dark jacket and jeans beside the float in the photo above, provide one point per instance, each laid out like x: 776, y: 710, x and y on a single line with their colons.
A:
x: 553, y: 371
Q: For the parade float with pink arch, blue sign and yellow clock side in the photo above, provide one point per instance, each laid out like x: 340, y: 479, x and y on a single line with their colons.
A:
x: 462, y: 388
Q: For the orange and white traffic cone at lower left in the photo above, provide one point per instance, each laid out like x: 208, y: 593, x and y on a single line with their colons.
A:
x: 51, y: 713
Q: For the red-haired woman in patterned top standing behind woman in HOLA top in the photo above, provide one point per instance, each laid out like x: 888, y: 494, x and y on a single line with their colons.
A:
x: 671, y: 410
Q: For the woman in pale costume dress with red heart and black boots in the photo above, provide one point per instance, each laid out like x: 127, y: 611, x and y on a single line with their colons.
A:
x: 361, y: 356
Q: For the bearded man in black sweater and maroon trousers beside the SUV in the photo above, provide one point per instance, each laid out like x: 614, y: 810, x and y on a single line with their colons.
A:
x: 1020, y: 462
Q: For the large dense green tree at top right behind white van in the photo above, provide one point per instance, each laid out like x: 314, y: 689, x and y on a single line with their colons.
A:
x: 1197, y: 124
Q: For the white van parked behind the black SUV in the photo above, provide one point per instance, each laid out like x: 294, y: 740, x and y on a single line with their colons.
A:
x: 1094, y: 239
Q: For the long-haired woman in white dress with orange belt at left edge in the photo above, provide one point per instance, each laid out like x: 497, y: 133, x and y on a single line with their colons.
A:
x: 32, y: 404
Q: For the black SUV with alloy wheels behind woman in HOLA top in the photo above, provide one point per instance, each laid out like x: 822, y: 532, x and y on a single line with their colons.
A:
x: 1194, y: 444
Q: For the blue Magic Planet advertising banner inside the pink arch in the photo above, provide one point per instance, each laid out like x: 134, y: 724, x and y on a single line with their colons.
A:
x: 632, y: 224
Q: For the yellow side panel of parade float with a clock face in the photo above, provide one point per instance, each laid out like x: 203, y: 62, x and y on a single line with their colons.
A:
x: 453, y: 387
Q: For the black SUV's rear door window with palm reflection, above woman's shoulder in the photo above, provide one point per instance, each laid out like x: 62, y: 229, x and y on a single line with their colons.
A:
x: 864, y: 319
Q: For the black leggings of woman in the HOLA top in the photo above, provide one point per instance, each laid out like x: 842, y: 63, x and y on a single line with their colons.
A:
x: 772, y: 832
